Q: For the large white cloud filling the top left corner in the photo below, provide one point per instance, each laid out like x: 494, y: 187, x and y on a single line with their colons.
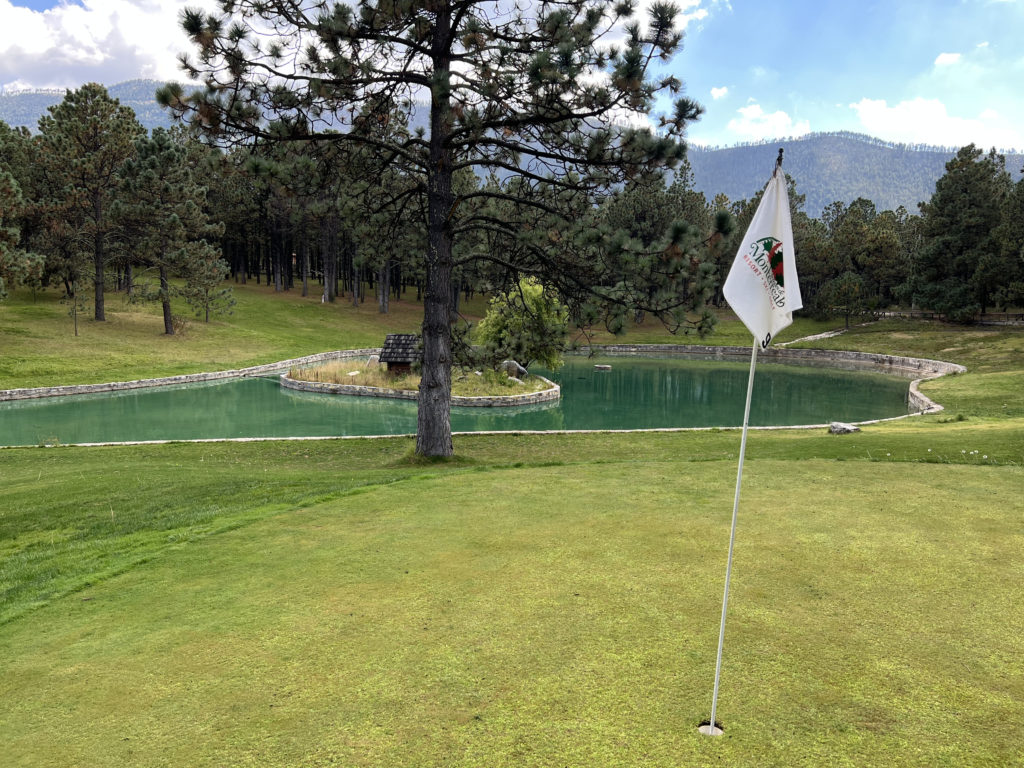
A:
x: 101, y: 40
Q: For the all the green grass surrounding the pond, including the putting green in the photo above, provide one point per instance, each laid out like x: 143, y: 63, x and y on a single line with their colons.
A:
x: 538, y: 601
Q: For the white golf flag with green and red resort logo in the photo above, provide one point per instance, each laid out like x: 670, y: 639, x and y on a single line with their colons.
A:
x: 762, y: 287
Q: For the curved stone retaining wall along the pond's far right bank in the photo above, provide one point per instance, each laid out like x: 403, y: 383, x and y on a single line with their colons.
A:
x: 919, y: 369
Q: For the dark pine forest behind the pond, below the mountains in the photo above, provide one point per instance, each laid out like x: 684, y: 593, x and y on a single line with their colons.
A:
x: 90, y: 197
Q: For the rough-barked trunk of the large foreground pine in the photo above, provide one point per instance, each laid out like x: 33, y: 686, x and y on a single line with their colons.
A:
x: 434, y: 431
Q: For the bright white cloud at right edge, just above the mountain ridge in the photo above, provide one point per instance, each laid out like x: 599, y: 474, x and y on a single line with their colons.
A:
x: 928, y: 121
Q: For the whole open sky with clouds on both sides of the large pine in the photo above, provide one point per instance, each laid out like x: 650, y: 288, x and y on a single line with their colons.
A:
x: 945, y: 73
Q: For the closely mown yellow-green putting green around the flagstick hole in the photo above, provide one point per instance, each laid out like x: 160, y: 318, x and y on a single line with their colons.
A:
x: 554, y: 616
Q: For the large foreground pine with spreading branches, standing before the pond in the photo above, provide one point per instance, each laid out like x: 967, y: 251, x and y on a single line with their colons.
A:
x: 530, y: 93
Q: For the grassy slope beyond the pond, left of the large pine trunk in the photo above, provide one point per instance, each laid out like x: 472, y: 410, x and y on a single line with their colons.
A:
x: 39, y: 348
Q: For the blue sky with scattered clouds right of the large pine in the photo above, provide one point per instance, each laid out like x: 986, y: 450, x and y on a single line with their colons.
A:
x: 942, y: 72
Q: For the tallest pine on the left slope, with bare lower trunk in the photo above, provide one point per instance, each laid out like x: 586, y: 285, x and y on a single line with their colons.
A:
x: 86, y: 141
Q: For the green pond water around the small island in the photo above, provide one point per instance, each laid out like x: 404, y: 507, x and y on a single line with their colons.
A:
x: 637, y: 394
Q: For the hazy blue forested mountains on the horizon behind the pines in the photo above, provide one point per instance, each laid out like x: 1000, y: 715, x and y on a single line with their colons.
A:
x: 827, y: 167
